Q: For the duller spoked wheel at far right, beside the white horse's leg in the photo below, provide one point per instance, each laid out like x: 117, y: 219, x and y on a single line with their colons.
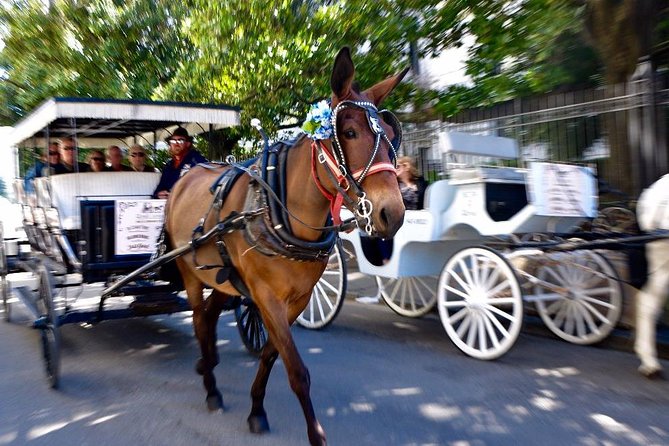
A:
x: 590, y: 306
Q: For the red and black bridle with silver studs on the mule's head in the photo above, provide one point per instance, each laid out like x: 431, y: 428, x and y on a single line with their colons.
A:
x: 337, y: 168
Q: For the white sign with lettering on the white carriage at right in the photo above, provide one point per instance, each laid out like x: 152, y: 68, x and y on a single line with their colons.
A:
x: 563, y: 190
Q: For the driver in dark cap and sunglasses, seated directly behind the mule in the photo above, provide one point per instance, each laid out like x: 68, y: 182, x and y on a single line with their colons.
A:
x: 183, y: 158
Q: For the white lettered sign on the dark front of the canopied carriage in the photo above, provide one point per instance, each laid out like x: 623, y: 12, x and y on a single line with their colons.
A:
x: 138, y: 225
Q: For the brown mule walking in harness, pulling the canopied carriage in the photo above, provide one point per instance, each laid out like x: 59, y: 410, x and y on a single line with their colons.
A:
x: 279, y: 285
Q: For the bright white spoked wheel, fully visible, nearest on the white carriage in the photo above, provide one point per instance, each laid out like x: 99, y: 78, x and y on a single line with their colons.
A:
x: 480, y: 302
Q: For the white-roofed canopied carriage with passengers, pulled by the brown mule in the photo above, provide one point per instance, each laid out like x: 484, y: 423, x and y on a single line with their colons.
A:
x: 88, y: 228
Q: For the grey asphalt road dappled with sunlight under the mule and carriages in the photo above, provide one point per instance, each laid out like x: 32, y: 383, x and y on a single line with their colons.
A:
x: 377, y: 379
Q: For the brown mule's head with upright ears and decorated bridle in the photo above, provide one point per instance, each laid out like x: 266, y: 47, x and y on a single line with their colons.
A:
x: 366, y: 139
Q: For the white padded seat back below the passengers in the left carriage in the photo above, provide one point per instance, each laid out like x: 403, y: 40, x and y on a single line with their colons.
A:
x: 67, y: 190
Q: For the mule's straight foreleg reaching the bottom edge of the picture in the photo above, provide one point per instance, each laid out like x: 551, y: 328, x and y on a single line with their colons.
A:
x: 278, y: 326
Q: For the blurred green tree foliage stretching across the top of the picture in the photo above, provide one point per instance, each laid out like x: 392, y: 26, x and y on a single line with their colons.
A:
x: 273, y: 57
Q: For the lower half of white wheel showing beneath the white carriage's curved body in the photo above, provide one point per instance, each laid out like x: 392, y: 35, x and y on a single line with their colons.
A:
x: 409, y: 296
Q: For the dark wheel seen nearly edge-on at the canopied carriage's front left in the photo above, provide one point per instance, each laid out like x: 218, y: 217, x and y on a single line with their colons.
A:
x: 50, y: 331
